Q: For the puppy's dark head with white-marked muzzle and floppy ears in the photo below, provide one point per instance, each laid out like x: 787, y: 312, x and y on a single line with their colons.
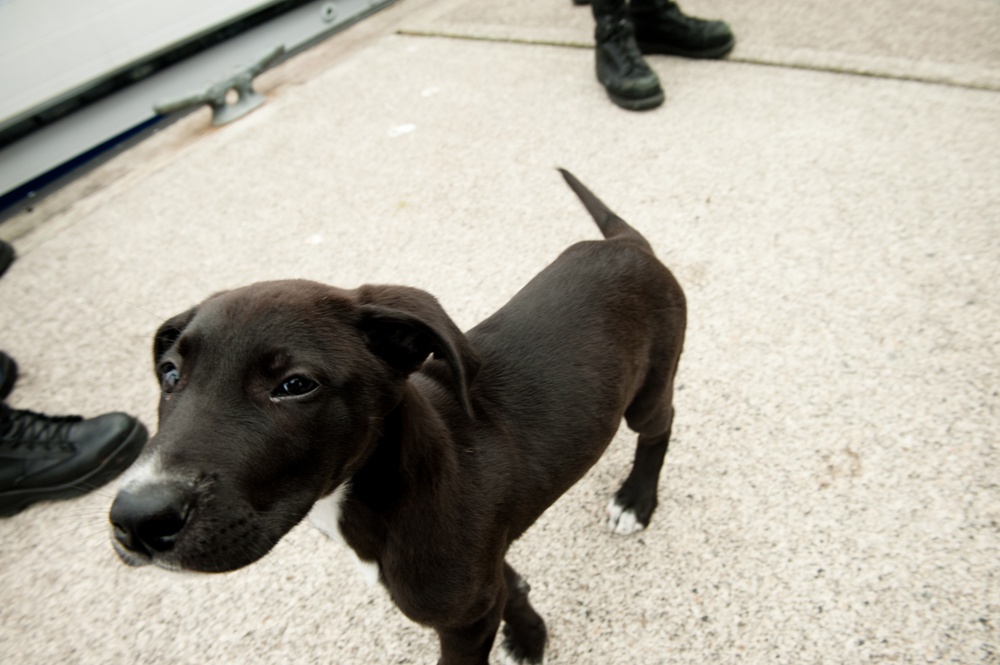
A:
x: 272, y: 395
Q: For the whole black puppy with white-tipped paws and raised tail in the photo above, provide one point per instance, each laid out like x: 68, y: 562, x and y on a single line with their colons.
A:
x: 281, y: 396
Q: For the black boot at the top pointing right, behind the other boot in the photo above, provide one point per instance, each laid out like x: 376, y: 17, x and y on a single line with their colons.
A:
x: 661, y: 27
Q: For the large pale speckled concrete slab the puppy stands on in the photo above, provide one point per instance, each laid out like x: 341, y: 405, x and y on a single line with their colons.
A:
x: 831, y: 493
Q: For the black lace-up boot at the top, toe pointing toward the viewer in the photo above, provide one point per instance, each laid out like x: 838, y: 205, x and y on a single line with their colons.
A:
x: 629, y: 81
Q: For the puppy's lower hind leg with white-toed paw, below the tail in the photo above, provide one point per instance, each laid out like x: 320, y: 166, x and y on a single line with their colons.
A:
x: 651, y: 414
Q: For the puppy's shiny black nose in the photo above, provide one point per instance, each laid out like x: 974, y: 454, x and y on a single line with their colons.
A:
x: 148, y: 520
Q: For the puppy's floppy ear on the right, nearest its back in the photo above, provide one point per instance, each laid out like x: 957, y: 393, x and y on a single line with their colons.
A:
x: 405, y: 325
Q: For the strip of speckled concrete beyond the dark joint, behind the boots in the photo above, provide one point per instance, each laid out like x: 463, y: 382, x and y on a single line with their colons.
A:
x: 953, y: 43
